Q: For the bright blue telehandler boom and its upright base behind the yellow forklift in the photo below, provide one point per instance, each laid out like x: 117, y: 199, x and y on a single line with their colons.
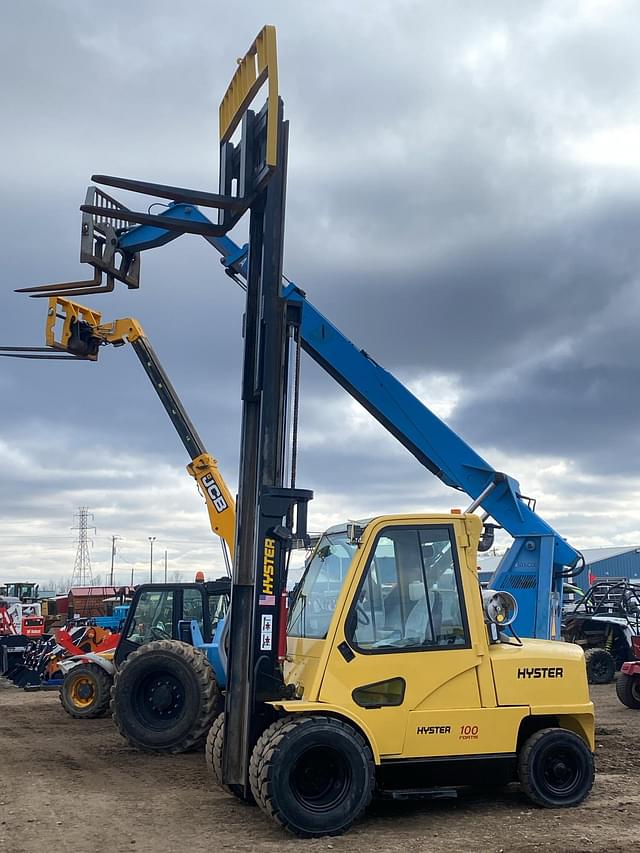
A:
x: 532, y: 568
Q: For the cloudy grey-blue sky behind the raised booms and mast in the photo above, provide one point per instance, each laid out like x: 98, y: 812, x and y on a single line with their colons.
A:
x: 463, y: 202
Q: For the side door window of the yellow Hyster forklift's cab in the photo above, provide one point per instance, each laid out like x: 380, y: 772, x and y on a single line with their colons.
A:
x: 410, y: 595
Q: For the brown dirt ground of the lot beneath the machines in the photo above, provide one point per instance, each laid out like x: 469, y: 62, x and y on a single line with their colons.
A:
x: 71, y: 785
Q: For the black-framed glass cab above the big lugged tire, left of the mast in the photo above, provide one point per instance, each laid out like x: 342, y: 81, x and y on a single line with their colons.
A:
x: 164, y: 612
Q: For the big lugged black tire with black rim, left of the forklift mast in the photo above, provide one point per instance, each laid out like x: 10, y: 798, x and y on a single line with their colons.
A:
x: 164, y: 697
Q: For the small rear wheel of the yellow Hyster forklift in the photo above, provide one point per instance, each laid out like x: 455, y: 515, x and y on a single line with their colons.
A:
x: 556, y: 768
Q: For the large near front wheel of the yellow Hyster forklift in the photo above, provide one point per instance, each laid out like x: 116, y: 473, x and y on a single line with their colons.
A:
x: 313, y: 775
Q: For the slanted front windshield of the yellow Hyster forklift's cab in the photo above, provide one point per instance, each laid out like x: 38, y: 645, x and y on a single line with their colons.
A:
x: 320, y: 586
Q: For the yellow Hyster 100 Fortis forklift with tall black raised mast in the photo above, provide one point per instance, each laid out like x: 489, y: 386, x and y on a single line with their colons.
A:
x: 395, y: 673
